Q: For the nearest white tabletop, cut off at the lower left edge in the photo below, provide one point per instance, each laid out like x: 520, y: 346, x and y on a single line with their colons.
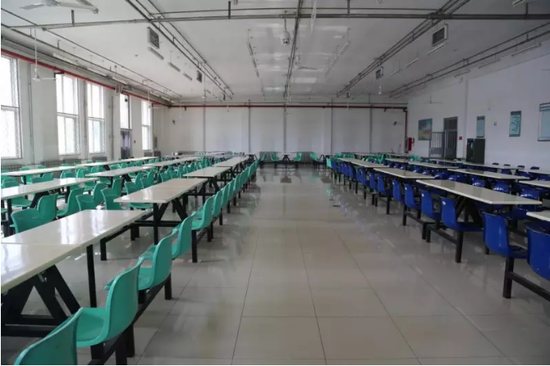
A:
x: 18, y: 262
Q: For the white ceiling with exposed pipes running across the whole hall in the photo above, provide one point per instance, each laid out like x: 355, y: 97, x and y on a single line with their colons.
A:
x: 223, y: 44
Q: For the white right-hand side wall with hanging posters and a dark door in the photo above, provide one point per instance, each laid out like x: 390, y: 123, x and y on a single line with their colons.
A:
x: 511, y: 85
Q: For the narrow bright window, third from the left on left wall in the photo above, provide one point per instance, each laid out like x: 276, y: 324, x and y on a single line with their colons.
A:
x: 96, y: 118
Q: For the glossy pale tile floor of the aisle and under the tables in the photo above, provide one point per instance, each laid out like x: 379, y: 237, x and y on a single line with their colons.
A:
x: 306, y: 272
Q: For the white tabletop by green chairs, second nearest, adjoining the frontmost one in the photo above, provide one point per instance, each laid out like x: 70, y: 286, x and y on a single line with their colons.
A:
x: 80, y: 229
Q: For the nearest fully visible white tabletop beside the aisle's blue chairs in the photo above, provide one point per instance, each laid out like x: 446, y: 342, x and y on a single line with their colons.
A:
x: 479, y: 194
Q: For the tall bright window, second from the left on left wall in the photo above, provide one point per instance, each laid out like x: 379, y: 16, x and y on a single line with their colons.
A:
x: 67, y: 115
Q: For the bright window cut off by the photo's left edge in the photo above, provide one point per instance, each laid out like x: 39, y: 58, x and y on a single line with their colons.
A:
x: 11, y: 125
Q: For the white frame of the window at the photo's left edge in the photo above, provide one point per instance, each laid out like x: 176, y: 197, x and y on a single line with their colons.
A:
x: 15, y: 108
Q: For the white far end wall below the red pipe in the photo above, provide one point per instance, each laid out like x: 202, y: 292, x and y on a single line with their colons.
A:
x: 322, y: 130
